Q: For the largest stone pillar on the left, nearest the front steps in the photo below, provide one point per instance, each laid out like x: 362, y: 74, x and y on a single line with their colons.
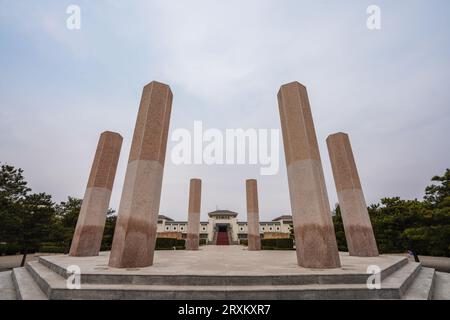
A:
x: 135, y: 233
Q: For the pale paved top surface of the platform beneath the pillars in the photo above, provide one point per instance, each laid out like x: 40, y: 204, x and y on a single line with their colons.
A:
x: 222, y: 261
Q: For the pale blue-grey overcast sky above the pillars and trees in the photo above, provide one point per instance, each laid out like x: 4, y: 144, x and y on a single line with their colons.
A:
x: 225, y: 61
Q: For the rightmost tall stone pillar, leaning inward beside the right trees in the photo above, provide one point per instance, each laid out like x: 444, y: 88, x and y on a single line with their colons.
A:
x: 358, y: 228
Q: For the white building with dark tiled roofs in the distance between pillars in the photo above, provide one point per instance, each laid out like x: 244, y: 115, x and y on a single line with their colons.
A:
x: 226, y: 222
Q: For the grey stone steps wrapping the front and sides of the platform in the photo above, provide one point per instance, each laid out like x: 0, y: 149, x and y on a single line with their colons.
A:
x: 43, y: 279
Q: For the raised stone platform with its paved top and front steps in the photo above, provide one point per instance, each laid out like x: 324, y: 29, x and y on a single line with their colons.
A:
x: 226, y: 273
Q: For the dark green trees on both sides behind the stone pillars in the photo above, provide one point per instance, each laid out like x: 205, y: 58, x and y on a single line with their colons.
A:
x: 31, y: 222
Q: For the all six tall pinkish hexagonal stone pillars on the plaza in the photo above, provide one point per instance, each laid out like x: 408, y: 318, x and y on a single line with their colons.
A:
x: 135, y: 234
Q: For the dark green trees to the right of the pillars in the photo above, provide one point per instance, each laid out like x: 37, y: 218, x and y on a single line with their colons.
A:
x: 422, y: 227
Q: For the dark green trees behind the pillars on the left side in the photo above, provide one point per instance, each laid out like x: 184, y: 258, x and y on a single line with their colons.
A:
x: 31, y: 222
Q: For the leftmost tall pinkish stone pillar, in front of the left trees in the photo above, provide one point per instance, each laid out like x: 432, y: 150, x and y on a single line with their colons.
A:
x: 88, y: 234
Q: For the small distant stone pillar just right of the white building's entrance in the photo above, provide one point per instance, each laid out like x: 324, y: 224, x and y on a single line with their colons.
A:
x: 254, y: 238
